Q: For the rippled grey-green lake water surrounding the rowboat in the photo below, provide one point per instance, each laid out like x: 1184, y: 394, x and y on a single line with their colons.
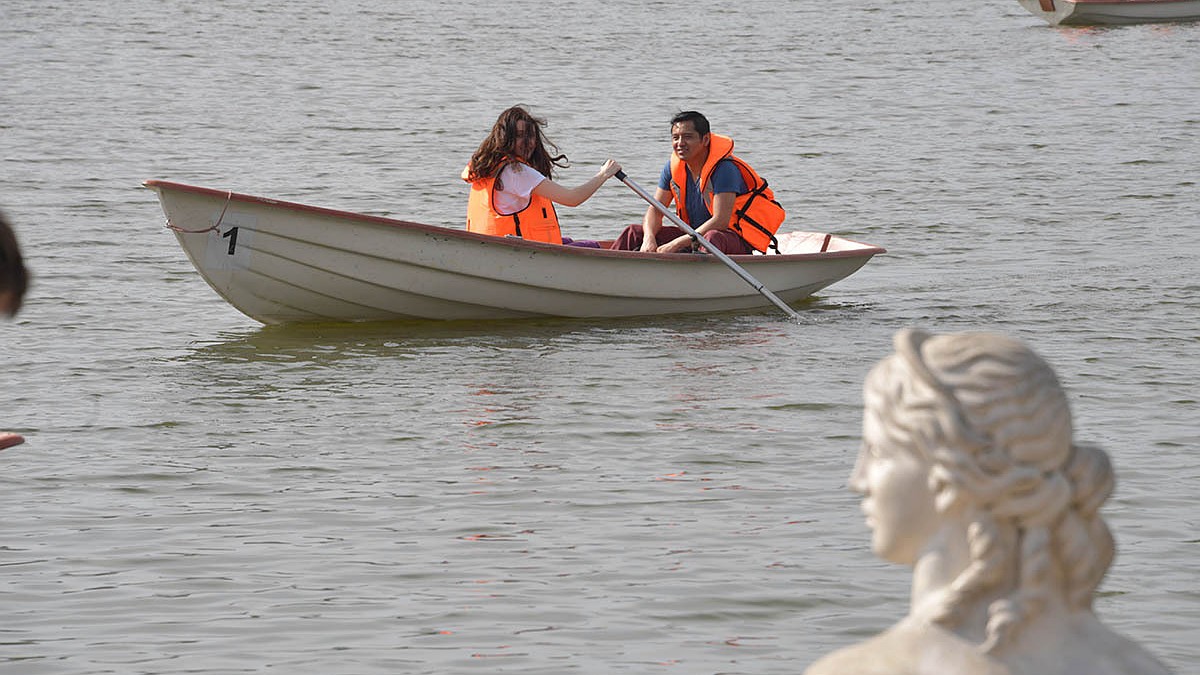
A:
x: 202, y: 494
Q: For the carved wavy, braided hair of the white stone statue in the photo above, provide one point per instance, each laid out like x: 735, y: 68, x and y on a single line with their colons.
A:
x: 993, y: 421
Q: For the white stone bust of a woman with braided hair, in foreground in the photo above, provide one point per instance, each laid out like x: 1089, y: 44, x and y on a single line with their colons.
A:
x: 969, y: 474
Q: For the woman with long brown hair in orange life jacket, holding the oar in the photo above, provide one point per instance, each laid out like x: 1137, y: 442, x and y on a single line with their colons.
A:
x: 512, y: 187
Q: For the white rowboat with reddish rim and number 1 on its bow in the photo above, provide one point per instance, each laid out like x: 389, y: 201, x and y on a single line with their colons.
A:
x: 280, y: 262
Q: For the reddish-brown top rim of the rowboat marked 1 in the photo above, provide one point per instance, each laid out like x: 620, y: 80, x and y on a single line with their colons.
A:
x: 868, y: 250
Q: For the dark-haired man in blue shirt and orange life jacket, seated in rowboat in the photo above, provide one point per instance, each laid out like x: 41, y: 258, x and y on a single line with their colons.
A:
x: 697, y: 169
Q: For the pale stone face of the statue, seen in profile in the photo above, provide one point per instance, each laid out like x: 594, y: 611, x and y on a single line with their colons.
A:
x: 897, y: 499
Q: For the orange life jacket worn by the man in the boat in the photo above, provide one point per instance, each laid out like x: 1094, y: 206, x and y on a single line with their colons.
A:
x: 757, y: 216
